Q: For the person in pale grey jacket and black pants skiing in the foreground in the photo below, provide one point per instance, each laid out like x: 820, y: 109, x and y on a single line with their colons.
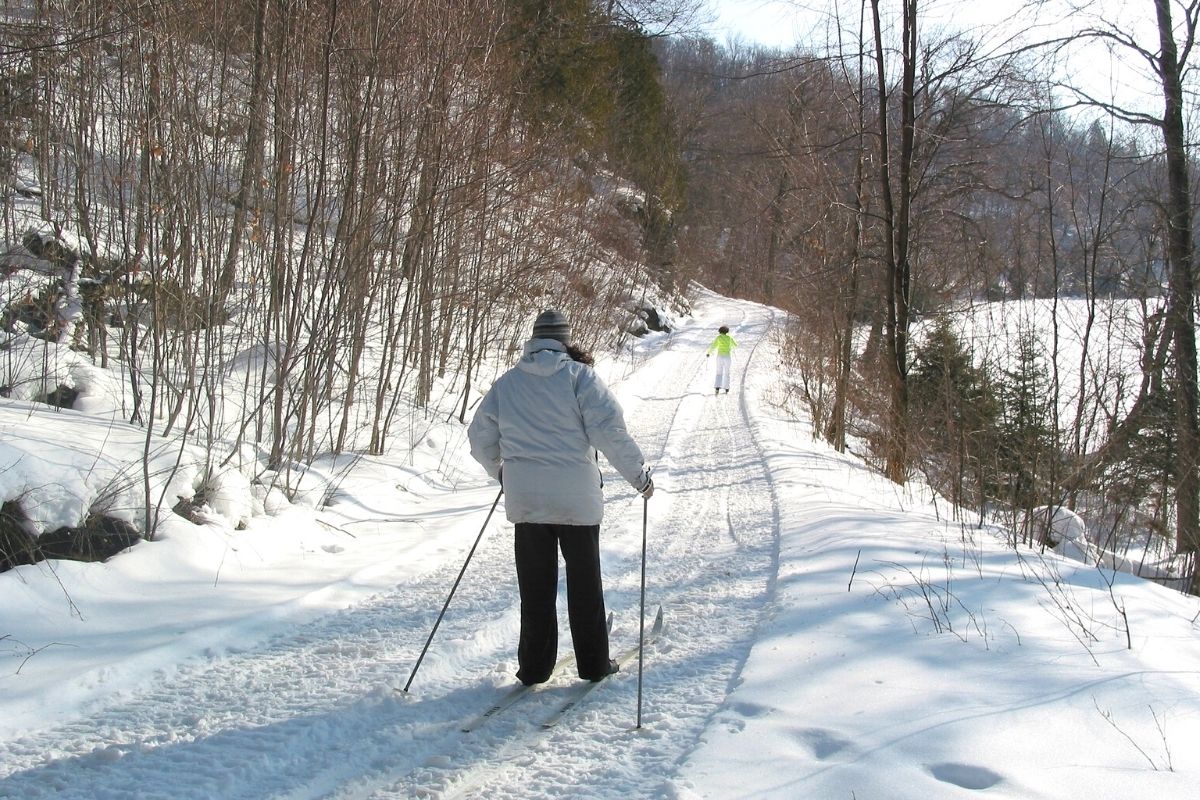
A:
x: 538, y: 431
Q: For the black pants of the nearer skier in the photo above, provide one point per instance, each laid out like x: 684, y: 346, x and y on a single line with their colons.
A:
x: 537, y: 548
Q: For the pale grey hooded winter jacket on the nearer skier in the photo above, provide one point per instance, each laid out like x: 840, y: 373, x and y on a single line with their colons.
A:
x: 543, y: 423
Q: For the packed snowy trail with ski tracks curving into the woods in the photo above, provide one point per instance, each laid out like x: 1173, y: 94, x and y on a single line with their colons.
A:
x: 314, y: 712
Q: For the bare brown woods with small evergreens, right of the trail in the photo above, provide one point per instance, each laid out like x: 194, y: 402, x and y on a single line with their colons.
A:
x: 896, y: 184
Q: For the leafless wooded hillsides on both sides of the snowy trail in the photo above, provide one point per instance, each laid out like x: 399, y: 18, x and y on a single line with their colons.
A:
x: 286, y: 225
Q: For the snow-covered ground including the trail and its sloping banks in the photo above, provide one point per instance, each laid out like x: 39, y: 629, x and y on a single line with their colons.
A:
x: 829, y: 635
